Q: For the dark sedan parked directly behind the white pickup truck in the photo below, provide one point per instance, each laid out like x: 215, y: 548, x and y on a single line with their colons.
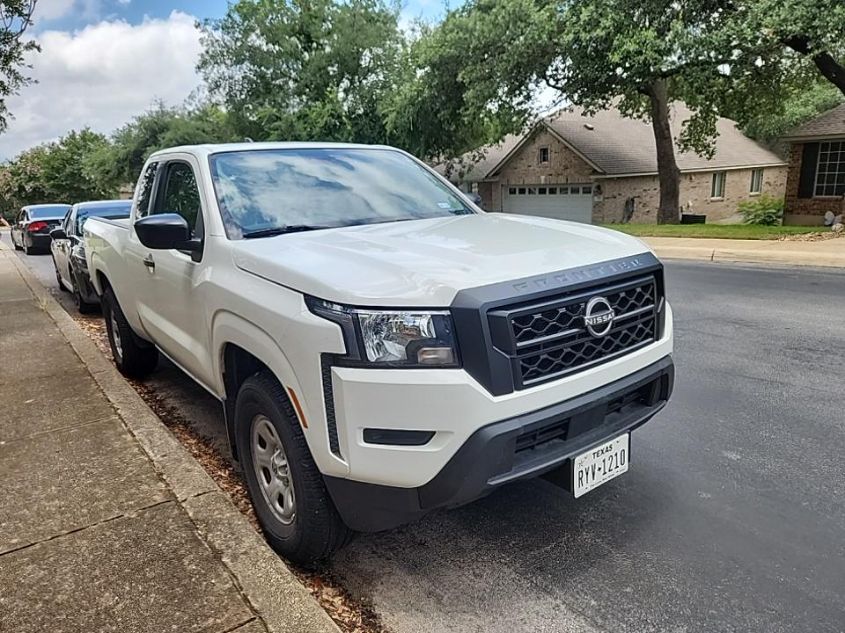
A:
x: 68, y: 249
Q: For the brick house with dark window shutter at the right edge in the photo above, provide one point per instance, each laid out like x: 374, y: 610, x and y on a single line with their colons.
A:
x: 816, y: 180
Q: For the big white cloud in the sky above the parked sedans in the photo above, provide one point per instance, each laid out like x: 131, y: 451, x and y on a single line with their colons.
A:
x: 101, y: 76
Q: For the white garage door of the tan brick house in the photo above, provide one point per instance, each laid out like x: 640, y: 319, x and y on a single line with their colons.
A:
x: 562, y: 202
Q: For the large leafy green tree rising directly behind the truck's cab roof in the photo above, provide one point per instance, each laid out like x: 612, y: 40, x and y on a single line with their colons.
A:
x: 303, y: 69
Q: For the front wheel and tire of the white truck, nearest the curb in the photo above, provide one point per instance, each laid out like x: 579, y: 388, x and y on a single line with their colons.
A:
x: 290, y: 499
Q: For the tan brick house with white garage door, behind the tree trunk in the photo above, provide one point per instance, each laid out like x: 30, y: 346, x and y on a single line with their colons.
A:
x: 603, y: 169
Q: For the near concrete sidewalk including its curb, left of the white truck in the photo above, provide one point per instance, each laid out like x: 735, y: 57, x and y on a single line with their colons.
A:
x: 106, y: 522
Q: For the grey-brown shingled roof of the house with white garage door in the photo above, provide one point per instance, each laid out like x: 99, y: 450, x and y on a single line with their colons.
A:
x: 615, y: 145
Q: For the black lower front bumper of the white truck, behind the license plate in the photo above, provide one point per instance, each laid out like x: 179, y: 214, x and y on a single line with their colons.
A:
x: 519, y: 447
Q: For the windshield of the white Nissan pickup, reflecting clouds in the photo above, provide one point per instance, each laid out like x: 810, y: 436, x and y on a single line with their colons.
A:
x: 264, y: 192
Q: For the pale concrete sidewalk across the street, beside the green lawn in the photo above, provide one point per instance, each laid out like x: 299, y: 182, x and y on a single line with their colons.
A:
x: 789, y: 253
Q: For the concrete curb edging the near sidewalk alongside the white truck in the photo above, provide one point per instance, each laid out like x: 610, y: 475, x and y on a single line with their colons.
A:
x: 274, y: 593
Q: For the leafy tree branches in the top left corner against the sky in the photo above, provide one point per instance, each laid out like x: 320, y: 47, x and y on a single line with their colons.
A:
x: 15, y: 18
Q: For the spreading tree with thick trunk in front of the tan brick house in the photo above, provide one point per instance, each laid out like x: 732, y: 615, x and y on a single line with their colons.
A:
x: 637, y: 55
